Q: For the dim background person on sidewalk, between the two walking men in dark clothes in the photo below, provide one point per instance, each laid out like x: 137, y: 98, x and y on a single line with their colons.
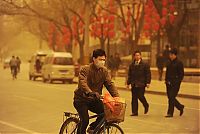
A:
x: 160, y: 63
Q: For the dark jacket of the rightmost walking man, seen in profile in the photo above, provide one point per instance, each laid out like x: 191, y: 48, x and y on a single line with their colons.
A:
x: 174, y: 71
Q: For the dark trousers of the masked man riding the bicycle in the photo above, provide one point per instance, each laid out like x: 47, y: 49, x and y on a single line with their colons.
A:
x: 82, y: 109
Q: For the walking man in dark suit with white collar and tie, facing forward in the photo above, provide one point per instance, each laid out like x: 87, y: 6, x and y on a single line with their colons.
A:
x: 139, y: 76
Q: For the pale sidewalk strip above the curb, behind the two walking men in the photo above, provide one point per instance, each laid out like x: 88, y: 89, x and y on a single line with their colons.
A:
x: 187, y: 90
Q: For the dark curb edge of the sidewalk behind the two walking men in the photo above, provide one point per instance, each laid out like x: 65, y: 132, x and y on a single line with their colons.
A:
x: 164, y: 94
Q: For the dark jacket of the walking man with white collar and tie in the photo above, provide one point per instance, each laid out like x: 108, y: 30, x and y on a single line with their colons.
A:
x: 139, y: 75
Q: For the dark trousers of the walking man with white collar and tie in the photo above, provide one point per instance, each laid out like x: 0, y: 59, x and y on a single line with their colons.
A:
x: 138, y: 93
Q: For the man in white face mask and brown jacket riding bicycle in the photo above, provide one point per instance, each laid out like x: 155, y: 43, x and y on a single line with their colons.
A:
x: 92, y: 77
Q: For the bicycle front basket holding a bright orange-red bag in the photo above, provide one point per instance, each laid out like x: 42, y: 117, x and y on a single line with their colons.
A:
x: 114, y: 111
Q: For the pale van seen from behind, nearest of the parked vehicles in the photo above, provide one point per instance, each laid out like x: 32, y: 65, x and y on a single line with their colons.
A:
x: 58, y: 66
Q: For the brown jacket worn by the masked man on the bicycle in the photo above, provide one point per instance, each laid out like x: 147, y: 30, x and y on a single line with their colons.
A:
x: 92, y: 79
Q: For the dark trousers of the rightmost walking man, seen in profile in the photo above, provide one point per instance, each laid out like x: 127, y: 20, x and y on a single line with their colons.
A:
x: 172, y: 92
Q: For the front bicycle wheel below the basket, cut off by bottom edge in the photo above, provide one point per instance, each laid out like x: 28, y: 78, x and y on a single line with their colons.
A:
x: 111, y: 128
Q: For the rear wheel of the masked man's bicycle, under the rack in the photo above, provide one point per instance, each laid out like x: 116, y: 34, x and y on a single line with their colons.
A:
x: 69, y: 126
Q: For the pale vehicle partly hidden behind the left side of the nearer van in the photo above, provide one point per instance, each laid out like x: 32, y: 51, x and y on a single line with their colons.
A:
x: 33, y: 72
